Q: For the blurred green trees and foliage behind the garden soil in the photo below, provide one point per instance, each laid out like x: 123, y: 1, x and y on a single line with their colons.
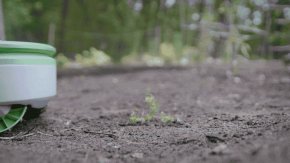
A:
x: 151, y: 32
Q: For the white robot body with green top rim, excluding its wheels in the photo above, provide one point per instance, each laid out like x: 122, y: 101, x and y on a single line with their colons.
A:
x: 27, y: 74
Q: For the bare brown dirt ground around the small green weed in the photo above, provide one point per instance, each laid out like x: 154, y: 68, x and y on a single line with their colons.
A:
x: 221, y: 118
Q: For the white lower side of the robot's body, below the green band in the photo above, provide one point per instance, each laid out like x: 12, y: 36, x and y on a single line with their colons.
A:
x: 27, y: 84
